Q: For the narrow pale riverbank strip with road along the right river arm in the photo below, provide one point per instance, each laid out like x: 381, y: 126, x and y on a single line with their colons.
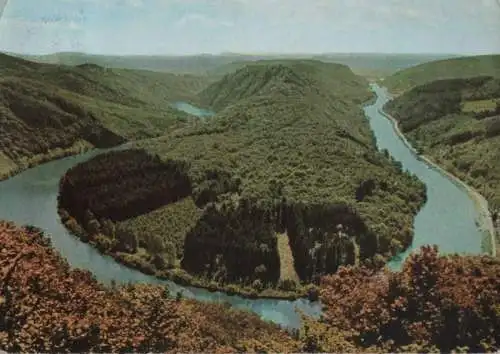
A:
x: 485, y: 220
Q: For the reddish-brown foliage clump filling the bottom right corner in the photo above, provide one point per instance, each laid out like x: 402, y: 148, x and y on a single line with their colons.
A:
x: 435, y: 303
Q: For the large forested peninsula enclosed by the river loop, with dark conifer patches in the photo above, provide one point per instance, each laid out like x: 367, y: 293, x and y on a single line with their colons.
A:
x: 289, y: 151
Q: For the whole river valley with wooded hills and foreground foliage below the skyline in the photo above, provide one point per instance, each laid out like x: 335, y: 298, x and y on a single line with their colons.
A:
x: 274, y: 186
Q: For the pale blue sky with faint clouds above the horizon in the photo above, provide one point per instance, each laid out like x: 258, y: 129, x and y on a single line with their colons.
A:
x: 171, y: 27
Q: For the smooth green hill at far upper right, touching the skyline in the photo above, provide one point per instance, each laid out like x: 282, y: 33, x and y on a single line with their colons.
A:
x: 463, y: 67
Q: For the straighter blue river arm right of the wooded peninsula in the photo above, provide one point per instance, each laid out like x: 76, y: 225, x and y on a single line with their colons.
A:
x: 448, y: 219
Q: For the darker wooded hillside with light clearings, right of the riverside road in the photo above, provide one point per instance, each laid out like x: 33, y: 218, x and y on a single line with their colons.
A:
x: 457, y: 123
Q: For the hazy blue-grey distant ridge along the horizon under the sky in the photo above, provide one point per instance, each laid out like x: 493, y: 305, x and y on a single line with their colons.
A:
x: 215, y: 65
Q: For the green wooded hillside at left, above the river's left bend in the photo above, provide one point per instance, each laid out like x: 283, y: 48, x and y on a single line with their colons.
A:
x: 52, y: 109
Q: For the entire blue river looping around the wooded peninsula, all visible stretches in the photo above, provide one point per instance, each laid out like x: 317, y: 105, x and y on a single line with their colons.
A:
x: 447, y: 220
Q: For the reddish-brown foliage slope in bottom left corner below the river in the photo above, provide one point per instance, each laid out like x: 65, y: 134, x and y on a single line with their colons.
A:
x: 46, y: 307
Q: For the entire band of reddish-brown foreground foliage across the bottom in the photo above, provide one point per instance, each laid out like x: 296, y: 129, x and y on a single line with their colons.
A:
x: 435, y: 303
